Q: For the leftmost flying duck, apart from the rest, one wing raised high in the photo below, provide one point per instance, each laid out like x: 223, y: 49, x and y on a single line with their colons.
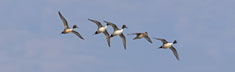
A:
x: 67, y: 29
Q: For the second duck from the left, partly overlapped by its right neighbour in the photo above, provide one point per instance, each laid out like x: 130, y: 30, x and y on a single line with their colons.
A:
x: 102, y: 29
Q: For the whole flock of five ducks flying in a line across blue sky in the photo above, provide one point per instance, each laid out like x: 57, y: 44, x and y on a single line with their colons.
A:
x: 117, y: 32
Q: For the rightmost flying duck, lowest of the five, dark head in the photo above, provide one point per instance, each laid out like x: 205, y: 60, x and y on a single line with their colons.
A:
x: 167, y: 44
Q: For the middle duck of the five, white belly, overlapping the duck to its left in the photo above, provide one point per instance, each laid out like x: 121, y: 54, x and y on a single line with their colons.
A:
x: 117, y: 32
